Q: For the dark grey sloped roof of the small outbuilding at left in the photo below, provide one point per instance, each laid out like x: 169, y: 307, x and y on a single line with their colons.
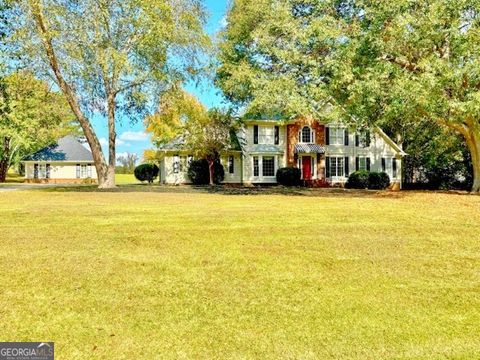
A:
x: 66, y: 149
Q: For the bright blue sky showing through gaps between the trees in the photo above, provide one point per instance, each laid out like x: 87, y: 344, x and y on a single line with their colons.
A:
x: 132, y: 138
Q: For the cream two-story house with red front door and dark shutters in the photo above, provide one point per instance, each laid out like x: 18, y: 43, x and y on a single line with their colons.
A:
x: 326, y: 154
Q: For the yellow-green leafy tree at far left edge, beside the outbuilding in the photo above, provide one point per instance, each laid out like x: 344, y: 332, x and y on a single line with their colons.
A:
x: 31, y: 117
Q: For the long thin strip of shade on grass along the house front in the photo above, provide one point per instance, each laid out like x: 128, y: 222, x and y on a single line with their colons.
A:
x: 229, y: 190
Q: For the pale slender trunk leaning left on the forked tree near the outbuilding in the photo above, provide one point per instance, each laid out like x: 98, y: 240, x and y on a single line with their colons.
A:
x: 106, y: 178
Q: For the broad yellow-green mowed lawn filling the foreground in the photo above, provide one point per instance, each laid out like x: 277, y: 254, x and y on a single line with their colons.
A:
x: 169, y: 275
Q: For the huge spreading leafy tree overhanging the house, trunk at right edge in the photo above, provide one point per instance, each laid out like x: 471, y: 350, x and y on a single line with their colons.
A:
x: 376, y: 62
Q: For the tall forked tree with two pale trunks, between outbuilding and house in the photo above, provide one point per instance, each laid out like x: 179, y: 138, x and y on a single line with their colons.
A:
x: 110, y: 56
